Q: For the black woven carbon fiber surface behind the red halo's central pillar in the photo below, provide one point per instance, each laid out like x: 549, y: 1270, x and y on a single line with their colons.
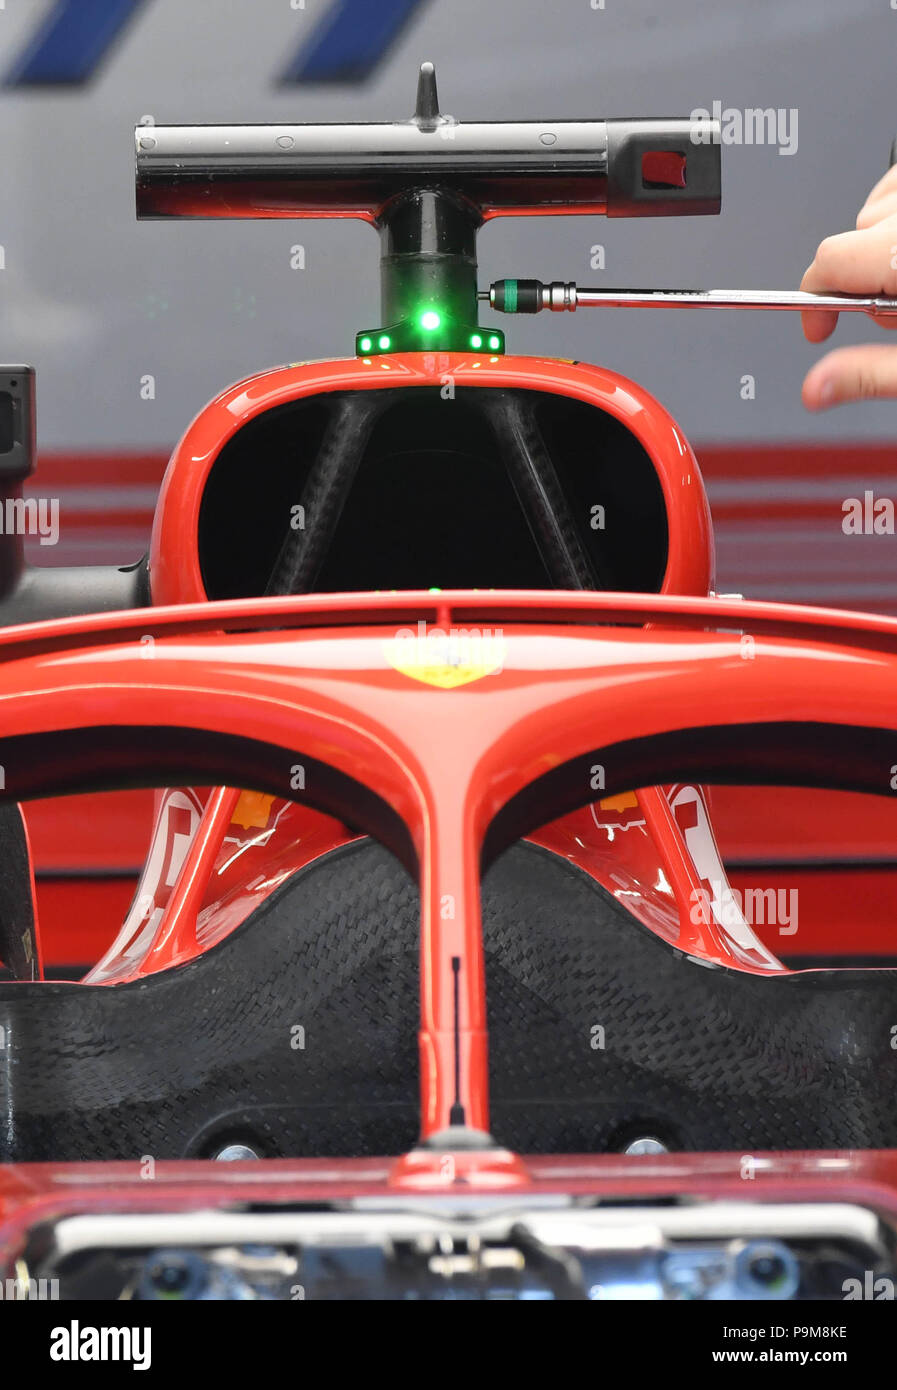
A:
x: 211, y: 1053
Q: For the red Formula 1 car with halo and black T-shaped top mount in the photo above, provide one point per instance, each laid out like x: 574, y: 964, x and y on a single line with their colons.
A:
x: 433, y: 939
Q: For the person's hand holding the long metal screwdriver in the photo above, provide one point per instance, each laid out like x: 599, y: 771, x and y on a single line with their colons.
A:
x: 856, y: 263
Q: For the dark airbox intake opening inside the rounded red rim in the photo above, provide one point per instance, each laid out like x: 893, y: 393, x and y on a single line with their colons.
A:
x: 433, y: 502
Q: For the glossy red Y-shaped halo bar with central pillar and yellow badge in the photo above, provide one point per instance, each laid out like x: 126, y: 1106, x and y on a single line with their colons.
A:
x: 579, y: 673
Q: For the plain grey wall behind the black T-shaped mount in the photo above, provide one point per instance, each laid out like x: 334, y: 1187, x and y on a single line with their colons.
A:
x: 97, y: 300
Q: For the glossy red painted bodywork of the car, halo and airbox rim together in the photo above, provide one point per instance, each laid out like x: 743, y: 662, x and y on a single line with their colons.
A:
x: 318, y: 676
